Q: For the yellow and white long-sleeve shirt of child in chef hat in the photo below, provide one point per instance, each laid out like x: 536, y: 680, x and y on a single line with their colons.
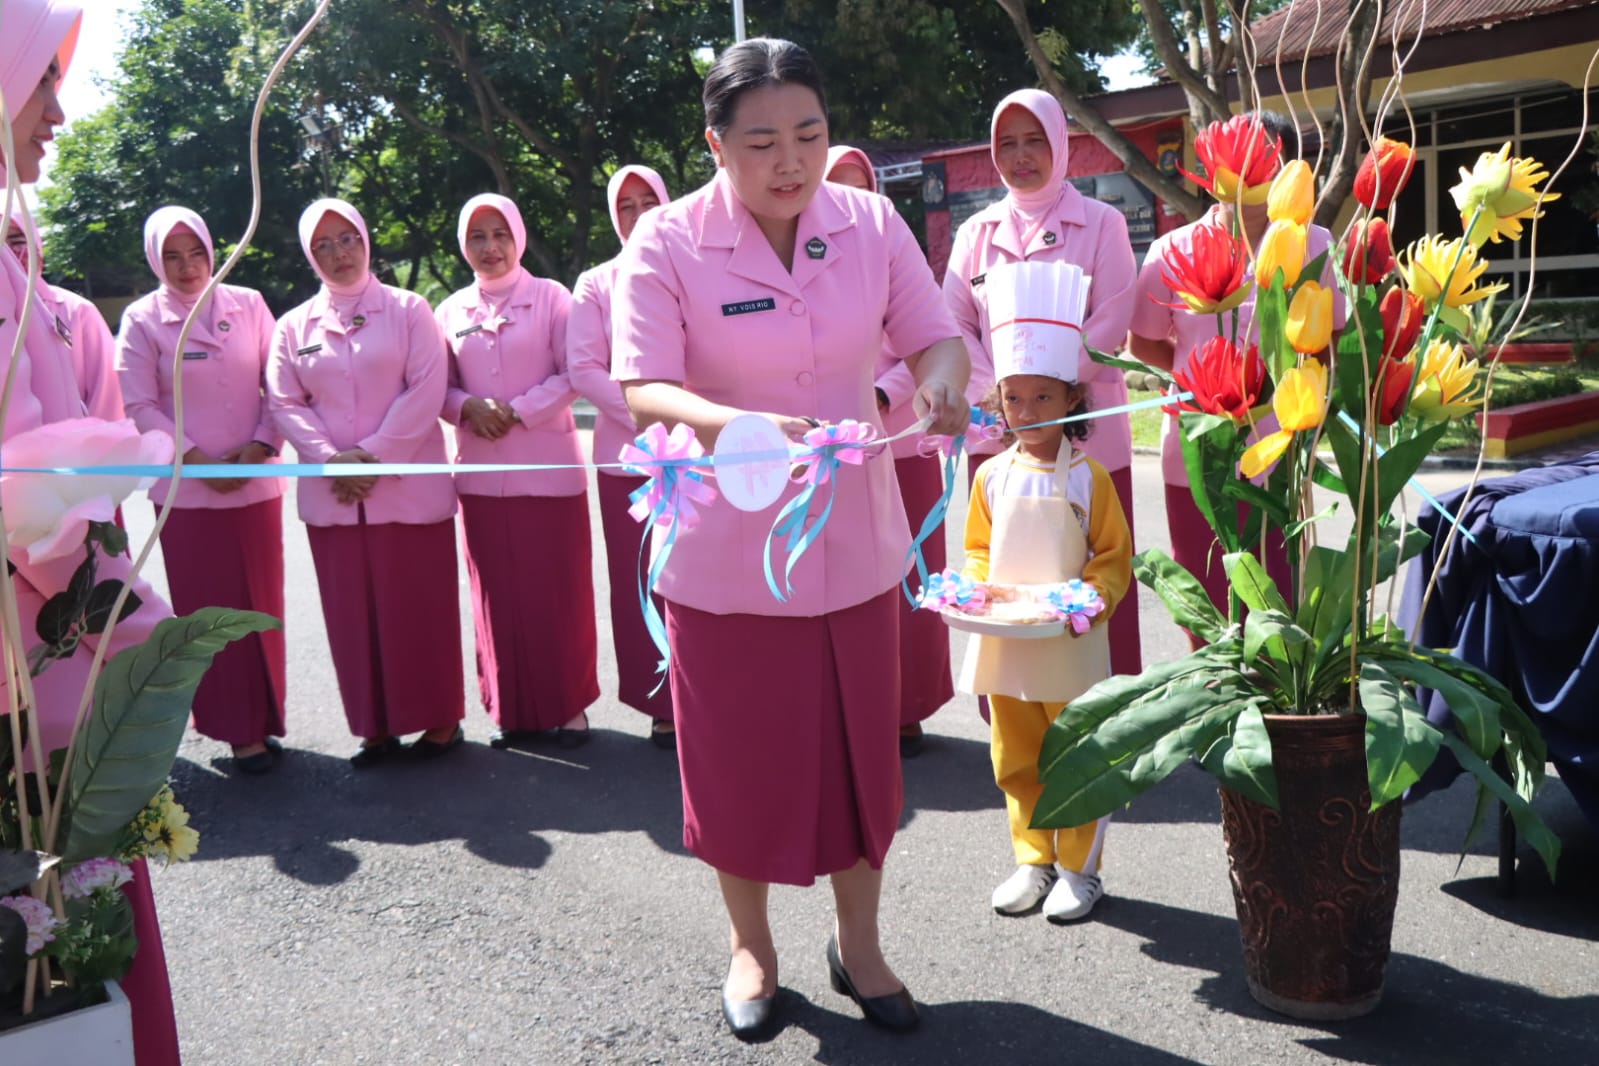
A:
x: 1095, y: 501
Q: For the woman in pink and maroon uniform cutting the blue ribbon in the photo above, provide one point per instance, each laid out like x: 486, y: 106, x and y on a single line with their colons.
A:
x: 770, y: 292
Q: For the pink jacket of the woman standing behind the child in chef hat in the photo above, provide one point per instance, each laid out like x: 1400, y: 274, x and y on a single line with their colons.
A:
x: 1083, y: 233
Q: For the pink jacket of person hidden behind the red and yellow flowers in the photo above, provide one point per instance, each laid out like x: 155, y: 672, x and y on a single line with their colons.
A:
x: 1187, y: 332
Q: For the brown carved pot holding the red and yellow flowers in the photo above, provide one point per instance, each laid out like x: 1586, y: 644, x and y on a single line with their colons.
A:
x: 1315, y: 881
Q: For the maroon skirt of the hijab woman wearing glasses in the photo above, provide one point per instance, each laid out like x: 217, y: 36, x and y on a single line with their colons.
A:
x: 391, y: 600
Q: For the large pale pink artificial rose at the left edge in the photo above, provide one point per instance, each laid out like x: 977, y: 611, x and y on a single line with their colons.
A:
x: 46, y: 514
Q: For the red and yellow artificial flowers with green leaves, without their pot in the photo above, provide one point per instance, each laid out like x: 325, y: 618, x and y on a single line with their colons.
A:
x: 1378, y: 399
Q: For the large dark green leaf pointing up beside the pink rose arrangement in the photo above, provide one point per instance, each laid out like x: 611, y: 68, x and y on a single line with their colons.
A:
x: 142, y: 707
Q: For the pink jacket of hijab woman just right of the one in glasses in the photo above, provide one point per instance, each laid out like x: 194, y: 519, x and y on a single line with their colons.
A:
x: 517, y: 357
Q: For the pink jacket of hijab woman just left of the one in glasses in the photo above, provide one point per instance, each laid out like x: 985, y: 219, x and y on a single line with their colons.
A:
x: 225, y: 367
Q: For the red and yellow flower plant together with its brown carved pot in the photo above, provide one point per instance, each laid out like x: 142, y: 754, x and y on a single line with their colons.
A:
x: 1301, y: 702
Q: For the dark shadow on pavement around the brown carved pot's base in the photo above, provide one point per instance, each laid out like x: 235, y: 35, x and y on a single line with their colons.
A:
x: 1432, y: 1014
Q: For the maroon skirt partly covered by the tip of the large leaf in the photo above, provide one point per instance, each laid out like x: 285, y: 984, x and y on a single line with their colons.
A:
x: 234, y: 559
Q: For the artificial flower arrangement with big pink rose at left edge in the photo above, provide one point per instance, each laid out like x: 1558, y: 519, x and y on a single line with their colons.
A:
x: 76, y: 817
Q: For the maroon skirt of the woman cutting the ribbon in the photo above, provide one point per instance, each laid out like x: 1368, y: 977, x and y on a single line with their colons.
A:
x: 788, y: 739
